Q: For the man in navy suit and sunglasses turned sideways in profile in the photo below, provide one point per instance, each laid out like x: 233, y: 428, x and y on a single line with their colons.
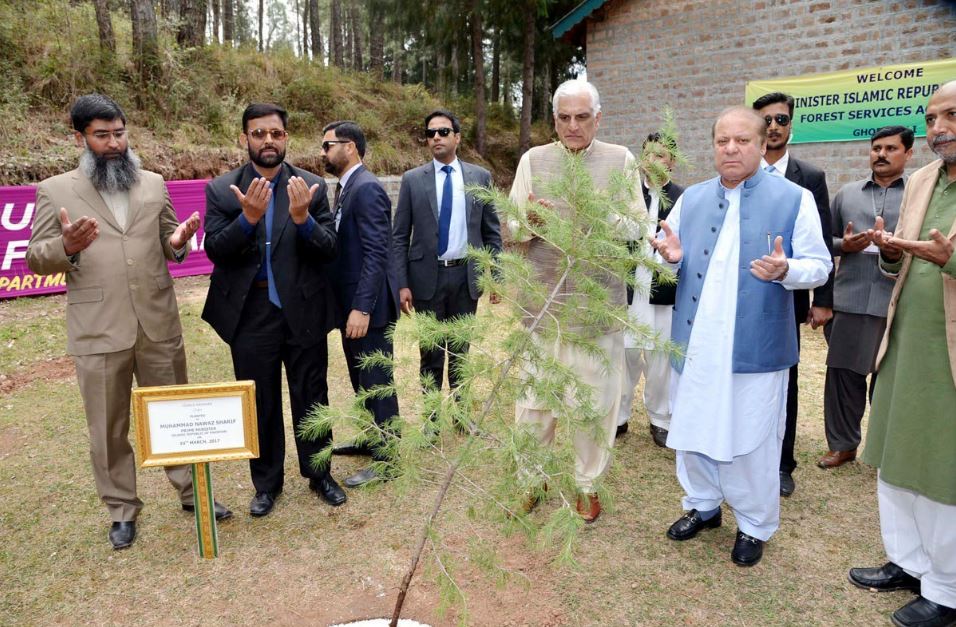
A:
x: 363, y: 278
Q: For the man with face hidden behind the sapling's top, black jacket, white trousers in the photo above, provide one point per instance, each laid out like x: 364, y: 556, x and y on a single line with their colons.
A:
x: 652, y: 305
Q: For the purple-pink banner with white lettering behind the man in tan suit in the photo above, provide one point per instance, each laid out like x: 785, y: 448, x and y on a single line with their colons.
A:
x: 16, y: 220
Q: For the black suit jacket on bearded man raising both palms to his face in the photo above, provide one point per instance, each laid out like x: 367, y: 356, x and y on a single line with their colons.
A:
x: 298, y: 264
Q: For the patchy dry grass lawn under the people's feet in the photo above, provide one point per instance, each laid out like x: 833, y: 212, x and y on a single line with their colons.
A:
x: 309, y: 564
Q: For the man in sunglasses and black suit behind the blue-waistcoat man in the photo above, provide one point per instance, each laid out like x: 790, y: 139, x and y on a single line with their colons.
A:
x: 777, y: 111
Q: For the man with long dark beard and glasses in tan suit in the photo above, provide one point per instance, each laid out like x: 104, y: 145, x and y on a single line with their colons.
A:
x: 99, y: 223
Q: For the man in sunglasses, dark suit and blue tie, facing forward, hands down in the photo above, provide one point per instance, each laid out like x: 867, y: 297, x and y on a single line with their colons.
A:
x: 435, y: 223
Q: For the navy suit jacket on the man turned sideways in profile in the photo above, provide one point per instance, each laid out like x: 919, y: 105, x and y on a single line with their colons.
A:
x: 362, y: 273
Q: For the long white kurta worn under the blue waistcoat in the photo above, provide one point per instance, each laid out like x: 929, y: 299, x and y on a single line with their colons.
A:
x: 717, y: 412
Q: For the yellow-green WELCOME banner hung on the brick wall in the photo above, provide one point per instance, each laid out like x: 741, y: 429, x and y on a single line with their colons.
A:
x: 852, y: 105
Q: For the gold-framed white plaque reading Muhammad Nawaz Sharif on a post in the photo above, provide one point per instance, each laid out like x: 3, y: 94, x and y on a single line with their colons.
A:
x: 196, y: 423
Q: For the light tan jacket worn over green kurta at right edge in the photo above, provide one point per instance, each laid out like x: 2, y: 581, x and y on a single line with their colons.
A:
x: 916, y: 197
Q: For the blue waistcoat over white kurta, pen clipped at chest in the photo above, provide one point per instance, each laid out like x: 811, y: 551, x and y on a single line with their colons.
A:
x: 765, y: 338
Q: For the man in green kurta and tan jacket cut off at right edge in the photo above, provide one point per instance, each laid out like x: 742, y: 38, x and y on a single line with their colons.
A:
x: 912, y: 432
